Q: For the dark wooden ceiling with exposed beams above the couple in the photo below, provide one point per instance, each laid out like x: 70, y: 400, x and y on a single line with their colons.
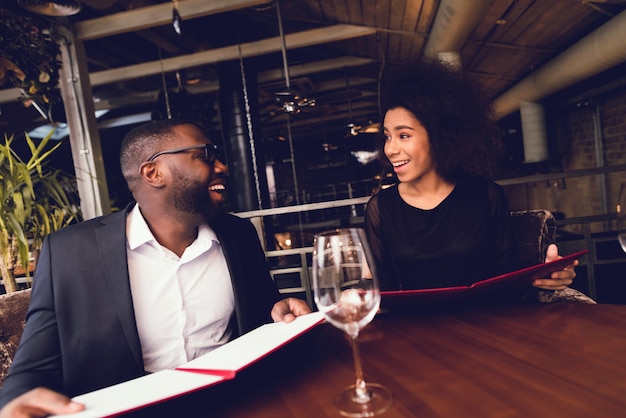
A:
x: 335, y: 49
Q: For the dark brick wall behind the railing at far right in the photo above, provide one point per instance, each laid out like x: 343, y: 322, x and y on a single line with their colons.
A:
x: 572, y: 147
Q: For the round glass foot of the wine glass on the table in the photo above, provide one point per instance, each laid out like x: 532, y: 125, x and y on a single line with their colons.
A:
x: 348, y: 404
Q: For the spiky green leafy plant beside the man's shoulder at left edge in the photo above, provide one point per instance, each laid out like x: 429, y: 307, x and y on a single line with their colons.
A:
x: 34, y: 201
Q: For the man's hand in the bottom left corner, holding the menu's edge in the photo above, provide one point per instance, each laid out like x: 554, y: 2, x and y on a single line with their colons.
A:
x: 40, y: 402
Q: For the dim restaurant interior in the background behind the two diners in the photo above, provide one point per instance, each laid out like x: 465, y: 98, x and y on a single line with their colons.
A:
x: 289, y: 91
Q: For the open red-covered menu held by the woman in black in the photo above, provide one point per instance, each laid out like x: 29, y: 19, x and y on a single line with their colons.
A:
x: 516, y: 279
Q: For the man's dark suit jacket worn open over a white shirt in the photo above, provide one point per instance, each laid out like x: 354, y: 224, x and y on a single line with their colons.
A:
x: 80, y: 332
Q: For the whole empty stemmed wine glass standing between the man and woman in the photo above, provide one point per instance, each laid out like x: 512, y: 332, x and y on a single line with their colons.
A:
x: 347, y: 293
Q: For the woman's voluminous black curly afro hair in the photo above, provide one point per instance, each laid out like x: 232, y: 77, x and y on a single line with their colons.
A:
x: 458, y: 117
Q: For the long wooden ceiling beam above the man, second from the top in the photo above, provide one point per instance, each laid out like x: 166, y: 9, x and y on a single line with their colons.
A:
x: 251, y: 49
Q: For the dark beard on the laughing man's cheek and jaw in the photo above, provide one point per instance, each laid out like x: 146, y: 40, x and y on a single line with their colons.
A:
x: 192, y: 198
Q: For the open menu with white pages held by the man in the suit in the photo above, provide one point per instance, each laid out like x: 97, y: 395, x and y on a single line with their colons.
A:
x: 210, y: 369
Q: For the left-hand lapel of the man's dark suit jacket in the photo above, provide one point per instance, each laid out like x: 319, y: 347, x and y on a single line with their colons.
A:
x: 111, y: 241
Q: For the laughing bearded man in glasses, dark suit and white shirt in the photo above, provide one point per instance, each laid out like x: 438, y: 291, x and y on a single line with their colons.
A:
x: 148, y: 288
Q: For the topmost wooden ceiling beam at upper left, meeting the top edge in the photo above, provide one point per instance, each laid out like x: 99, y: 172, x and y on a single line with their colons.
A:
x: 157, y: 15
